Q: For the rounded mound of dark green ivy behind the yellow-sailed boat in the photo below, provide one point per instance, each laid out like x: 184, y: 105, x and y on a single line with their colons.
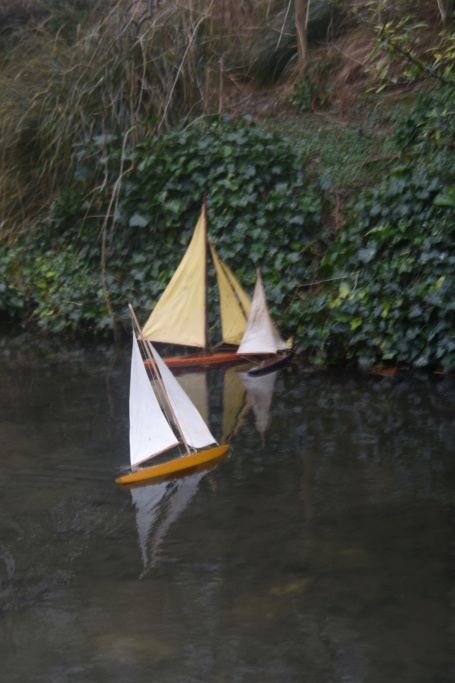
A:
x: 260, y: 209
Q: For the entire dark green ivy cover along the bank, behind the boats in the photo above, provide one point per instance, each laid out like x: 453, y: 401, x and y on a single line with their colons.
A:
x: 379, y: 291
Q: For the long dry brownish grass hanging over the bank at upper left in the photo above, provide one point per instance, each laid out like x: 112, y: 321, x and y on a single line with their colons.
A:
x: 124, y: 71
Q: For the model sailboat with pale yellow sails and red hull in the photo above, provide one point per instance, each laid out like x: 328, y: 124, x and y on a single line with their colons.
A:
x: 180, y: 316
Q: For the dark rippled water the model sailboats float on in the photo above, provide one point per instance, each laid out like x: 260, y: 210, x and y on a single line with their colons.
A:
x: 321, y: 551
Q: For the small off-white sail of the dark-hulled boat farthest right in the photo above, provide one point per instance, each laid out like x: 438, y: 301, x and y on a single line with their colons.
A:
x: 261, y: 335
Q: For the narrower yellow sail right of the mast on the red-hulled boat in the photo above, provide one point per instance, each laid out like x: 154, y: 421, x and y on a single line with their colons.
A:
x: 234, y: 302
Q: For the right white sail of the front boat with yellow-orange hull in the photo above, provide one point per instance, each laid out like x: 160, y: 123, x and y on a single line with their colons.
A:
x: 193, y: 427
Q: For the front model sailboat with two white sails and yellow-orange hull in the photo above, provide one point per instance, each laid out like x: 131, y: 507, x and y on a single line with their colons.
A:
x: 152, y: 432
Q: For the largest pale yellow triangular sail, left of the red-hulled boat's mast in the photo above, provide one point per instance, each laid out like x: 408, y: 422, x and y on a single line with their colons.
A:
x: 179, y: 317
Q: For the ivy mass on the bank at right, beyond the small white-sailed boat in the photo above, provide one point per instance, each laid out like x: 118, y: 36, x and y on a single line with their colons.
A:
x: 387, y: 285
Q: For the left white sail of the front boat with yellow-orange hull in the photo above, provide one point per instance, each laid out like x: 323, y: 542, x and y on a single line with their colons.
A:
x: 150, y: 432
